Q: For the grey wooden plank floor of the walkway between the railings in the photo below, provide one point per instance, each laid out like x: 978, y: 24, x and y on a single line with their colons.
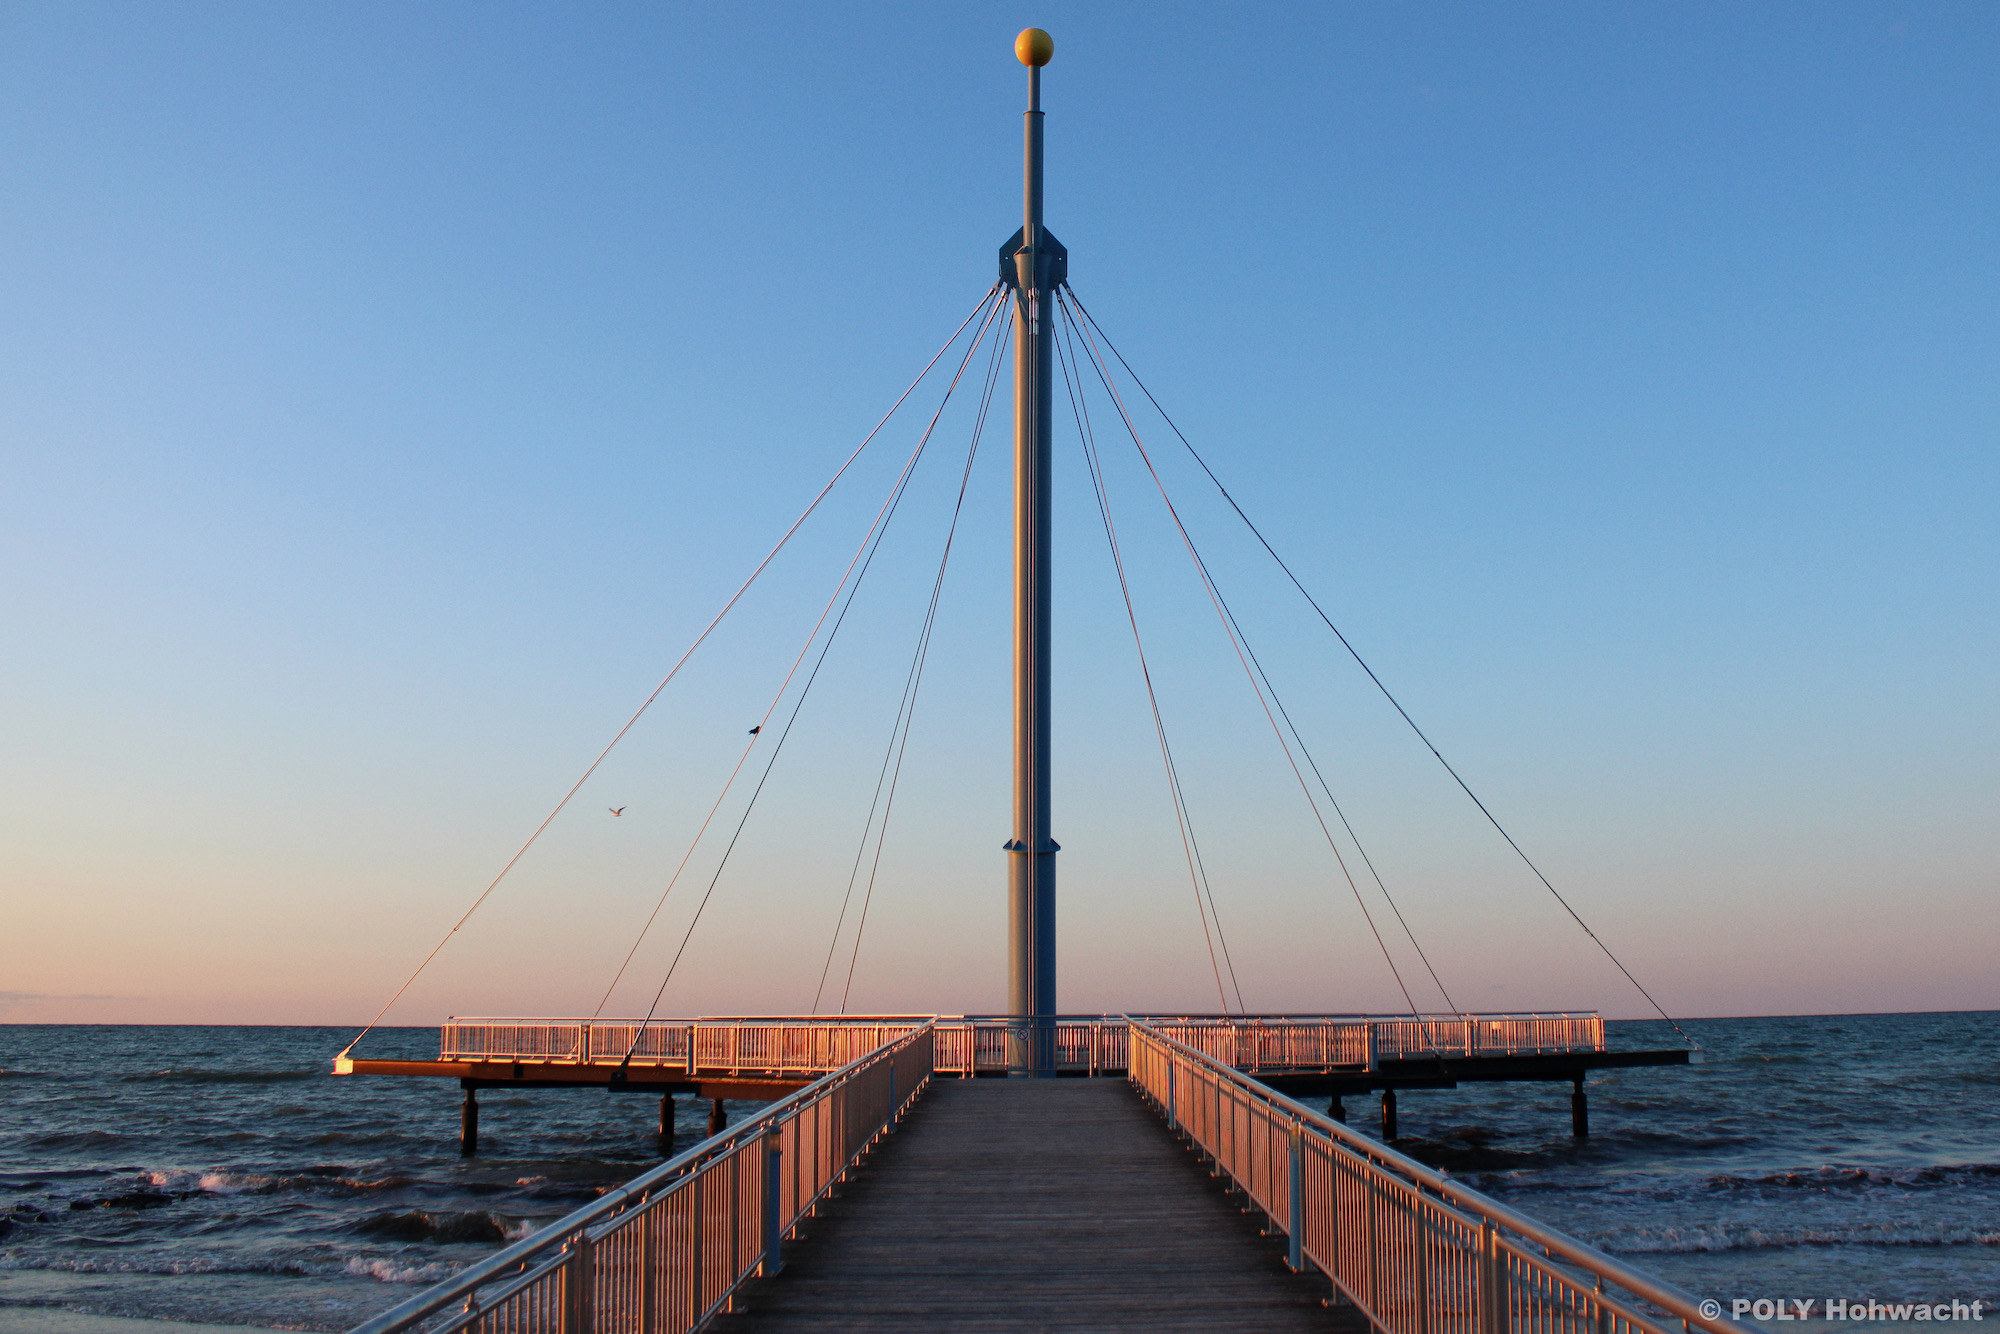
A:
x: 1035, y: 1205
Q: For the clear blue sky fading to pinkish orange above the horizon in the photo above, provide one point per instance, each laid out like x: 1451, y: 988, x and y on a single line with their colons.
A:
x: 389, y: 395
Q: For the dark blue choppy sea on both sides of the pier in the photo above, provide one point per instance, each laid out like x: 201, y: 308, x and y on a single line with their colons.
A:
x: 221, y: 1175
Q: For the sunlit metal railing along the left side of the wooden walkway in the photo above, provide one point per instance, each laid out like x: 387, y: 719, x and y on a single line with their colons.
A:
x: 669, y: 1249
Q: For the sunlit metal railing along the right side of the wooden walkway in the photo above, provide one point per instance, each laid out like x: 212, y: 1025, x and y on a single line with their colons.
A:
x: 1413, y: 1249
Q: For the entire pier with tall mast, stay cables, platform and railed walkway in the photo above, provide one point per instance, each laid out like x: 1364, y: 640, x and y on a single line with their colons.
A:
x: 1039, y: 1171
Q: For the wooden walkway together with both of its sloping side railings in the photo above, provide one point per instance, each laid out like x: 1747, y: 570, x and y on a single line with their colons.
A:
x: 1179, y: 1195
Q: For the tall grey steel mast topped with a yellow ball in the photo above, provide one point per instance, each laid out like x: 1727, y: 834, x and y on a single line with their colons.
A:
x: 1033, y: 265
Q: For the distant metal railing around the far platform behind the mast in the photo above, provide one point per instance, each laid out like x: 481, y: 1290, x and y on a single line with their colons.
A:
x: 975, y: 1045
